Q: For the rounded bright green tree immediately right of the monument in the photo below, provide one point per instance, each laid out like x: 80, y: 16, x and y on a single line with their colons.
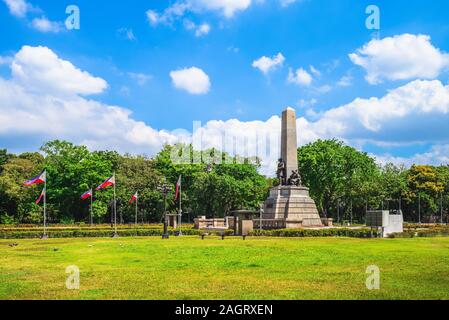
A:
x: 336, y: 173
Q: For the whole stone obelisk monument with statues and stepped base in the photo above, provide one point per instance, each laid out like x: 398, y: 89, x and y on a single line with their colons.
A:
x: 289, y: 204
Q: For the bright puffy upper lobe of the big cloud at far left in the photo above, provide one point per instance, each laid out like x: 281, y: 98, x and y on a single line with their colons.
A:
x: 40, y: 69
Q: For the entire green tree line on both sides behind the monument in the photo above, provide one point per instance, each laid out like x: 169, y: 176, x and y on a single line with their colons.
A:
x: 343, y: 181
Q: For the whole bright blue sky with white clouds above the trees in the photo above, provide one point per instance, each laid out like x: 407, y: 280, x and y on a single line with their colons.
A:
x: 137, y: 74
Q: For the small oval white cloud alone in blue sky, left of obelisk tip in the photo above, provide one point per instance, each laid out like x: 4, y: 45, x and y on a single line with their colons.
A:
x: 193, y: 80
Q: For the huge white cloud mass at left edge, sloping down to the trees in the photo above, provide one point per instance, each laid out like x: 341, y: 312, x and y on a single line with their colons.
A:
x: 58, y: 111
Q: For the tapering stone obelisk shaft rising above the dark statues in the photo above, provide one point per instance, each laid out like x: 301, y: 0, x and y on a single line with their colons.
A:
x: 289, y: 142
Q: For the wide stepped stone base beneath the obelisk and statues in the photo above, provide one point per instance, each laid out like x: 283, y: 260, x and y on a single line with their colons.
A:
x: 294, y: 206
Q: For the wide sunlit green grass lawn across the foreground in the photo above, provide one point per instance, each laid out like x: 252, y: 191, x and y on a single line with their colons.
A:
x: 258, y: 268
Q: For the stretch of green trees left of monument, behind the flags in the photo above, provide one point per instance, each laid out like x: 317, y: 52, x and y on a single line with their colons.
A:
x: 73, y: 170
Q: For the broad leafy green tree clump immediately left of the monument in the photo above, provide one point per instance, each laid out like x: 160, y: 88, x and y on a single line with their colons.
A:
x: 234, y: 183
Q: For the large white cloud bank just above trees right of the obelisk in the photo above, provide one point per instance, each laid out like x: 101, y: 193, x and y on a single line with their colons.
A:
x: 413, y: 113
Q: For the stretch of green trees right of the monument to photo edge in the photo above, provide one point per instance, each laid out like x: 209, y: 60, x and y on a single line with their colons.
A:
x: 345, y: 183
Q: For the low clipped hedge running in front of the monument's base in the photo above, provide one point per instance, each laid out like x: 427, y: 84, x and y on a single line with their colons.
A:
x: 303, y: 233
